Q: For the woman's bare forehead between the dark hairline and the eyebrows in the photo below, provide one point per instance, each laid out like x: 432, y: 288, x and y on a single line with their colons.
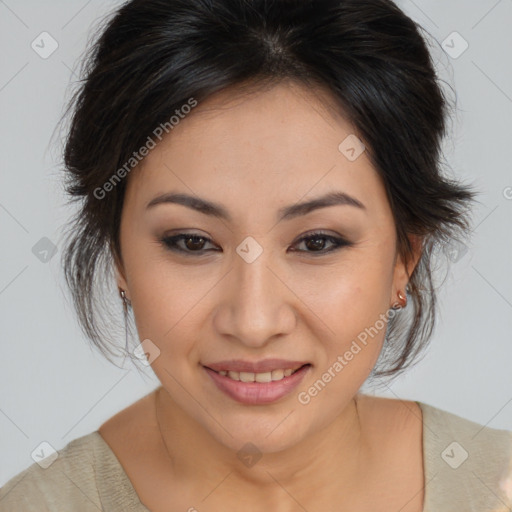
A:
x: 280, y: 143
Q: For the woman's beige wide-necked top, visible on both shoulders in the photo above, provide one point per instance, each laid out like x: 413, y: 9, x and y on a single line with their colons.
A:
x: 468, y: 468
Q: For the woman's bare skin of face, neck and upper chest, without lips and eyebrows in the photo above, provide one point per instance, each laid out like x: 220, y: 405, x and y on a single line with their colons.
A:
x: 255, y: 154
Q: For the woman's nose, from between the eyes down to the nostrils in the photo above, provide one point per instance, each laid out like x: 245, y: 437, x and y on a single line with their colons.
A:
x: 256, y: 305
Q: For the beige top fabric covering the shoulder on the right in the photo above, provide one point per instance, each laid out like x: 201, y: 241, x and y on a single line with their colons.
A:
x: 466, y: 464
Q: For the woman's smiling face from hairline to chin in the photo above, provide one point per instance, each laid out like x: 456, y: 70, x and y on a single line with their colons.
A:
x: 251, y: 287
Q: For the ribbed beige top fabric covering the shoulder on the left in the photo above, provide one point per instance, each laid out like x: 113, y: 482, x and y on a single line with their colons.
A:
x: 84, y: 476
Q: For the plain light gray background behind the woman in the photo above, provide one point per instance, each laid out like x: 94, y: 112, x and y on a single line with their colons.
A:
x: 55, y: 388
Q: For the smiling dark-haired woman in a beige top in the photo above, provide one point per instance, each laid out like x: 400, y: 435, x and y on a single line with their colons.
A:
x: 261, y: 180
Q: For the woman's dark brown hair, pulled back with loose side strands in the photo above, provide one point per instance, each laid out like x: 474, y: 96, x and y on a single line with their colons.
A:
x: 152, y: 56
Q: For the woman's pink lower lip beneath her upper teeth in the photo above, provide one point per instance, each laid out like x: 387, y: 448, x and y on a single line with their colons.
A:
x: 256, y: 393
